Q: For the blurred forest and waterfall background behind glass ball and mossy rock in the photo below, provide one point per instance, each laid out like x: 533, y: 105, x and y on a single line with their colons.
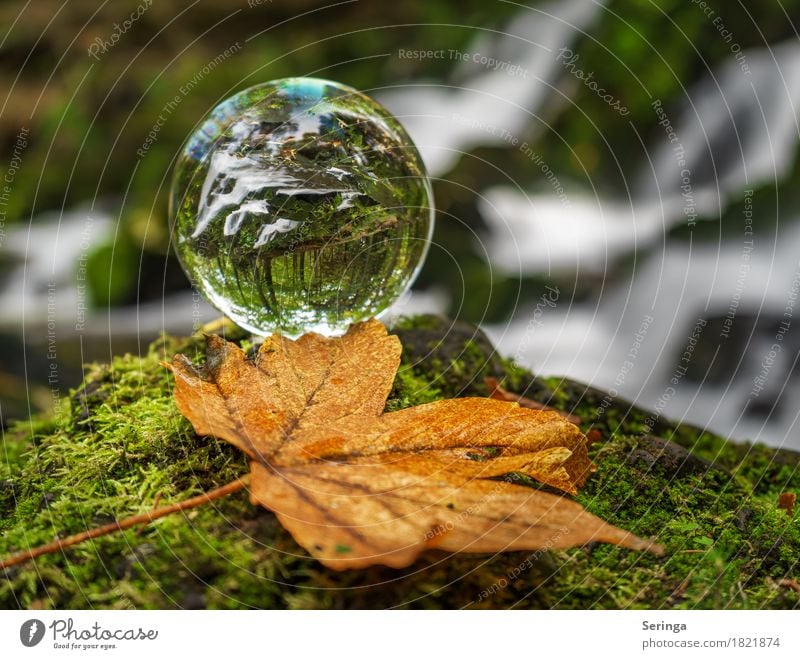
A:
x: 636, y: 228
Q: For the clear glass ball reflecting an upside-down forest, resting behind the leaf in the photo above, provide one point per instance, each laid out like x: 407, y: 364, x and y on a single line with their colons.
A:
x: 301, y: 205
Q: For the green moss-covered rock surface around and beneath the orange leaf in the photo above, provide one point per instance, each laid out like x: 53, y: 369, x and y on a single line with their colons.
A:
x: 119, y: 445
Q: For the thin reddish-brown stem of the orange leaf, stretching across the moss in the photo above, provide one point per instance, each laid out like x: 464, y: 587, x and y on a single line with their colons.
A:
x: 121, y: 525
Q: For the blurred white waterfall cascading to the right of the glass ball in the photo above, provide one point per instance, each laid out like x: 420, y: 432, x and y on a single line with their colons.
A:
x: 737, y: 131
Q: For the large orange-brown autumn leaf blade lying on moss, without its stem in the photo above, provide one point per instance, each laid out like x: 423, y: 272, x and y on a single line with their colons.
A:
x: 357, y: 487
